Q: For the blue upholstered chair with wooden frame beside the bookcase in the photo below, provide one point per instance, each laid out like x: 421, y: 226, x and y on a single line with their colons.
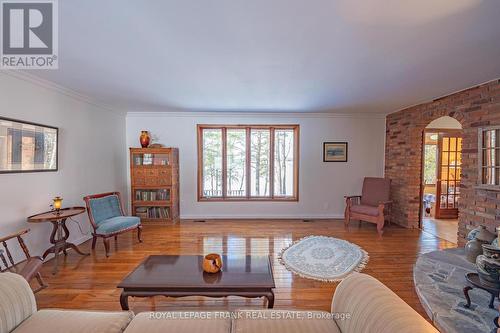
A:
x: 108, y: 218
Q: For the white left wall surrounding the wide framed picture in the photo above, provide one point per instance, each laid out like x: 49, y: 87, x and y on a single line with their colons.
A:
x: 92, y: 158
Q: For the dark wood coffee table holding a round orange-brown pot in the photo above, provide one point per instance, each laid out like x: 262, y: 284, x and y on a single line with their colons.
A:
x: 180, y: 276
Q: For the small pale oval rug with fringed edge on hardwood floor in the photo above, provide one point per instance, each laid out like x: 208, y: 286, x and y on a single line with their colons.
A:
x: 323, y: 258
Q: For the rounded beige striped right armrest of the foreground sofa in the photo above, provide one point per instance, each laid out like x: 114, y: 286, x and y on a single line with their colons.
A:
x: 374, y: 308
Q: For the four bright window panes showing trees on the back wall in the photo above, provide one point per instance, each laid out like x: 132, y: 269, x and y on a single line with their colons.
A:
x: 248, y: 162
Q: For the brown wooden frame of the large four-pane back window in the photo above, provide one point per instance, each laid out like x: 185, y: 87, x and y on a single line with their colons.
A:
x: 249, y: 197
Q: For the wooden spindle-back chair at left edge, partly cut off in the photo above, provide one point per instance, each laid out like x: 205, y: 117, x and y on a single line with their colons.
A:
x: 29, y: 269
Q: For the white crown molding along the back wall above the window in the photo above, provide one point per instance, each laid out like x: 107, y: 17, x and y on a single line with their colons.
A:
x: 251, y: 114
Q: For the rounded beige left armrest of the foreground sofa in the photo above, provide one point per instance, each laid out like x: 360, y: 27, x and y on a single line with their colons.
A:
x: 17, y: 301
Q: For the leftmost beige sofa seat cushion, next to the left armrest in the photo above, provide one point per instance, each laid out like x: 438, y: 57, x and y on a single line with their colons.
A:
x: 64, y: 321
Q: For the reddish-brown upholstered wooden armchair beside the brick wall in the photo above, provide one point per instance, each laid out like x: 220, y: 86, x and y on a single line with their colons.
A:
x: 372, y: 205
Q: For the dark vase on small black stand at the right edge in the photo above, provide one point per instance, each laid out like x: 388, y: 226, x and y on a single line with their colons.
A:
x: 488, y: 266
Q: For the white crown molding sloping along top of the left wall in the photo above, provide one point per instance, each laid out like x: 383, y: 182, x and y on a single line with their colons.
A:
x: 33, y: 79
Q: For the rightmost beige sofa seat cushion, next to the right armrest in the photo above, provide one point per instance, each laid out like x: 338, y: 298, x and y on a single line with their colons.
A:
x: 283, y: 321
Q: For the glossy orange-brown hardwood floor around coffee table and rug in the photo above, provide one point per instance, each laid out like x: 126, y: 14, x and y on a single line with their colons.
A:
x: 90, y: 282
